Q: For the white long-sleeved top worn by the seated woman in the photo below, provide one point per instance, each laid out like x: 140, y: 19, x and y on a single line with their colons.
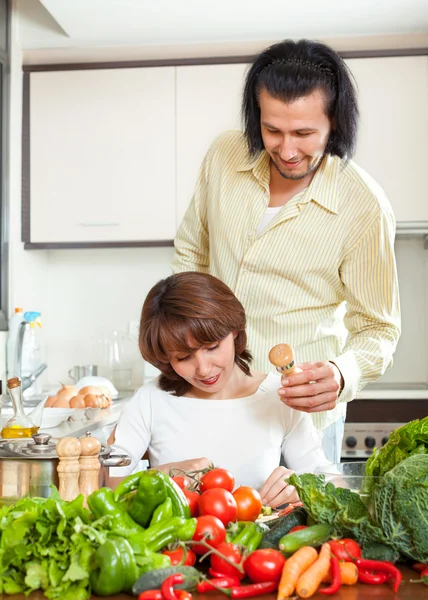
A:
x: 244, y: 435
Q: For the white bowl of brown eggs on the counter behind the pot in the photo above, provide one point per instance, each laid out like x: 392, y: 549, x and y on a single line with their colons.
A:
x: 83, y: 403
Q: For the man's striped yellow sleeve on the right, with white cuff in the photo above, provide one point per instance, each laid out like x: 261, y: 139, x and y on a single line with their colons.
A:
x: 369, y: 275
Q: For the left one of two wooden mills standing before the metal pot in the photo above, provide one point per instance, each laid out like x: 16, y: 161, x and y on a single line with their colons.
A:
x: 68, y: 450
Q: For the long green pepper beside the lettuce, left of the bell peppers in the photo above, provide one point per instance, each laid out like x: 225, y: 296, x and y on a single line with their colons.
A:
x: 102, y: 503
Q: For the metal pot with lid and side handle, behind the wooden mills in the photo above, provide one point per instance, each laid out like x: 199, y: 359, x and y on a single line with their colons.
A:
x: 29, y: 466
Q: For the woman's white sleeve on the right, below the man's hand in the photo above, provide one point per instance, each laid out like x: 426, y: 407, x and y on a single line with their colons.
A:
x: 302, y: 447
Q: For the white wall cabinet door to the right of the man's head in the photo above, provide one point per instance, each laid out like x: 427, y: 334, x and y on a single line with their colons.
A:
x: 393, y: 135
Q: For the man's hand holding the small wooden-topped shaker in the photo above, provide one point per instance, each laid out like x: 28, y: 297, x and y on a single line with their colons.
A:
x: 314, y: 389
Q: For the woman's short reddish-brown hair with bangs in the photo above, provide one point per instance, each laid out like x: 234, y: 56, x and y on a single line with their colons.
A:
x: 189, y: 305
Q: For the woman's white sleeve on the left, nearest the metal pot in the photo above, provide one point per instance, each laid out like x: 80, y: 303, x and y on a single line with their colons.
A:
x: 133, y: 431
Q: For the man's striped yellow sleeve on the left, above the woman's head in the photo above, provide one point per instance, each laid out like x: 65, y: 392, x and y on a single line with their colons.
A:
x: 192, y: 239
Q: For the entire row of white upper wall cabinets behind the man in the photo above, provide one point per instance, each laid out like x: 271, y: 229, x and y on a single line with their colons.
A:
x: 114, y: 154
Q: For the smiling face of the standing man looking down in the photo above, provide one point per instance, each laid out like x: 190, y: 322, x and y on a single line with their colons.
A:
x: 295, y: 135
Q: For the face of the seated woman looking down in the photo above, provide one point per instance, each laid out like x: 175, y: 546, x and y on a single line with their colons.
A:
x: 208, y: 368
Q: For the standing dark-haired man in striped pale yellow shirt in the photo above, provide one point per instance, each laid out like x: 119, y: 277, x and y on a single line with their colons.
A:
x: 302, y: 235
